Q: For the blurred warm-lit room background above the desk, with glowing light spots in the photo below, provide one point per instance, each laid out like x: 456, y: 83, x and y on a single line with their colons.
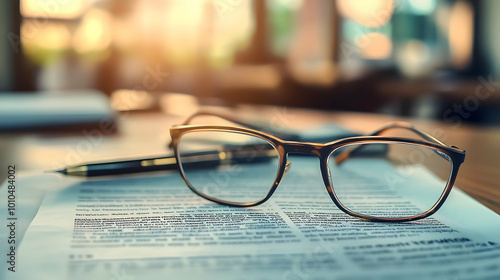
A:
x: 433, y: 59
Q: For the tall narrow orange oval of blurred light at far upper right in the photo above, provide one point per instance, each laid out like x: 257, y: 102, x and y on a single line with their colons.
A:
x: 461, y: 34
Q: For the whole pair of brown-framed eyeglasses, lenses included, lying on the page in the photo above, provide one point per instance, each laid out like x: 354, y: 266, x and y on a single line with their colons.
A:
x: 375, y: 178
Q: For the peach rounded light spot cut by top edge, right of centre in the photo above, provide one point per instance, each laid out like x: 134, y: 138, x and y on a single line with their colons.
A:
x: 372, y: 13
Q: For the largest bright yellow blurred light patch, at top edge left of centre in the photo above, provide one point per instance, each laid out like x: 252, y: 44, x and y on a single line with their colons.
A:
x: 196, y: 31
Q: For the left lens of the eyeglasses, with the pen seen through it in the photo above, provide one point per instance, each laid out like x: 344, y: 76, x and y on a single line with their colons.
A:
x: 229, y: 166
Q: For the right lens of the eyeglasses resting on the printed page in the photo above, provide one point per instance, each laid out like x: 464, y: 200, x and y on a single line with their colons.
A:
x: 378, y: 179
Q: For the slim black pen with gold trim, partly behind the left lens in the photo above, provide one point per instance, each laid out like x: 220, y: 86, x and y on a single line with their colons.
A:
x: 206, y: 159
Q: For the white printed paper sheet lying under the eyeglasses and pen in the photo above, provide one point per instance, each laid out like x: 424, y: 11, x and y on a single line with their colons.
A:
x: 154, y: 227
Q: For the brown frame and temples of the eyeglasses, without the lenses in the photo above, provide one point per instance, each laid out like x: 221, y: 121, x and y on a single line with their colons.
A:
x: 323, y: 152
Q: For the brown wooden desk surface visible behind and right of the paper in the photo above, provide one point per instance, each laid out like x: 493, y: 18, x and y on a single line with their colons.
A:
x: 146, y: 134
